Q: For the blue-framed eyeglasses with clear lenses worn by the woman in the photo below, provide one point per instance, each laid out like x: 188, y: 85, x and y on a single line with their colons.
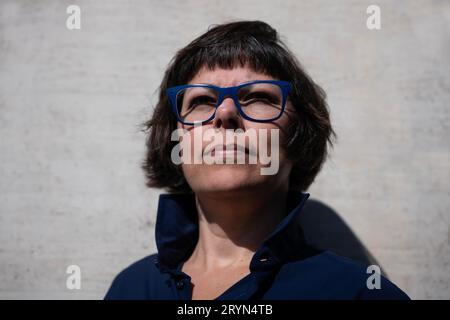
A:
x: 258, y: 101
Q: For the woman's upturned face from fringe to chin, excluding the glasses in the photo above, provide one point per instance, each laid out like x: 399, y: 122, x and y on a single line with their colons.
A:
x: 236, y: 177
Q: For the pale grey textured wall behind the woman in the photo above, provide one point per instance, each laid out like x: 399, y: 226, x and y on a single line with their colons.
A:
x: 71, y: 190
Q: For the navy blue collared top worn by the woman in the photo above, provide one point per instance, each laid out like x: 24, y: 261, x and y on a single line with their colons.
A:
x: 284, y: 267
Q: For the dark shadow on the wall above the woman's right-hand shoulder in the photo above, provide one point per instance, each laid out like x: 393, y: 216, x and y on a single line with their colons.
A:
x: 325, y: 229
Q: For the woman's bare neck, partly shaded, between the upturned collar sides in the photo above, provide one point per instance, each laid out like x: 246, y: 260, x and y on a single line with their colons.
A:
x: 232, y: 228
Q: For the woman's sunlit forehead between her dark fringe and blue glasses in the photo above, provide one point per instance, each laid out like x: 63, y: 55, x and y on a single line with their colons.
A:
x: 228, y: 77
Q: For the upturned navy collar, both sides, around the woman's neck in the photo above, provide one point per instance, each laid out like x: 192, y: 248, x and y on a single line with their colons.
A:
x: 176, y: 233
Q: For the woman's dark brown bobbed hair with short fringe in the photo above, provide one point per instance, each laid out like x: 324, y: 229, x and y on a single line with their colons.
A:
x: 241, y: 43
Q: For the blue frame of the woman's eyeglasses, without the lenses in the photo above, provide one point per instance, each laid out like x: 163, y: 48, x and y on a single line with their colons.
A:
x: 224, y: 92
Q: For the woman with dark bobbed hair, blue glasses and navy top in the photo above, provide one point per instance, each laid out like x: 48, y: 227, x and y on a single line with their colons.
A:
x: 228, y: 230
